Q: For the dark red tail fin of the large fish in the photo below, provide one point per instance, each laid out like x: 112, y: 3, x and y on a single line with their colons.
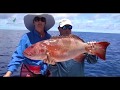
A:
x: 100, y: 49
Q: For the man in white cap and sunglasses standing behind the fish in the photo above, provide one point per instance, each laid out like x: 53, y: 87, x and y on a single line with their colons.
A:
x: 73, y: 67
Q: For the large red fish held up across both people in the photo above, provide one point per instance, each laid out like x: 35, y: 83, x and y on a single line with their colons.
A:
x: 63, y: 48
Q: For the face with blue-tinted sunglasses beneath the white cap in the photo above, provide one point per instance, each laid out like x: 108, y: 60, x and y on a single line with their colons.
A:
x: 65, y: 30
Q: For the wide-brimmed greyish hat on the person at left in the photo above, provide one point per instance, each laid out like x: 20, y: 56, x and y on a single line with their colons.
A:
x: 28, y: 21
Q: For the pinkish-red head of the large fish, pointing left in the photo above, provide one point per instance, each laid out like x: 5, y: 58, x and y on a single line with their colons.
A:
x: 36, y: 52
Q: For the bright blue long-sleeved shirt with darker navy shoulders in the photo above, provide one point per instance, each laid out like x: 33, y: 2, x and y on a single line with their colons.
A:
x: 18, y: 58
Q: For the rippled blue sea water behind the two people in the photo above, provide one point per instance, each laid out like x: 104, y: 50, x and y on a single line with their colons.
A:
x: 9, y: 40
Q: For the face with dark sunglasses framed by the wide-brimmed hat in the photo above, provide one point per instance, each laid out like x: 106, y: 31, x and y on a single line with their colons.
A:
x: 39, y: 23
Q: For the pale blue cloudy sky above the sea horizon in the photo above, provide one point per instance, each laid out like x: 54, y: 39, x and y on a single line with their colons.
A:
x: 82, y: 22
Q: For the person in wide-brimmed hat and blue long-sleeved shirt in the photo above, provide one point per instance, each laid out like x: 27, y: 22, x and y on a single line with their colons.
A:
x: 38, y: 26
